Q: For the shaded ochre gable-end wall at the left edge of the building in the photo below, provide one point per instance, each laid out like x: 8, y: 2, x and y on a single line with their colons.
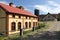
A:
x: 2, y: 20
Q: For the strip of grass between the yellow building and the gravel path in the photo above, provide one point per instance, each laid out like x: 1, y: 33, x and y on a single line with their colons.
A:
x: 26, y: 33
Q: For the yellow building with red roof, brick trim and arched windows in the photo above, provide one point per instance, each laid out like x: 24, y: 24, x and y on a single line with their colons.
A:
x: 14, y: 18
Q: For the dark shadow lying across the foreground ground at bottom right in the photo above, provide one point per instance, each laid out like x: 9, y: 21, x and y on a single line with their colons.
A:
x: 55, y: 35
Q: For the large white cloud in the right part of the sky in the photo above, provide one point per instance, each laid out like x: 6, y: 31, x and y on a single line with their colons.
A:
x: 49, y: 7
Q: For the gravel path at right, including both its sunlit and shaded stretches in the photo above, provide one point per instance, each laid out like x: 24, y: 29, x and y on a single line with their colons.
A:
x: 53, y: 33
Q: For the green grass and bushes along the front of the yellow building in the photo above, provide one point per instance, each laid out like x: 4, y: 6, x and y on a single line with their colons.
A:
x: 28, y: 33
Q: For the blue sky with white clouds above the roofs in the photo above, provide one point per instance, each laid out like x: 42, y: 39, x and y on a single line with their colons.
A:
x: 45, y: 6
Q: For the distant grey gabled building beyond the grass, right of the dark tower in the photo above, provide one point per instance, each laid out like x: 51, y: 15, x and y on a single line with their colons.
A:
x: 48, y: 17
